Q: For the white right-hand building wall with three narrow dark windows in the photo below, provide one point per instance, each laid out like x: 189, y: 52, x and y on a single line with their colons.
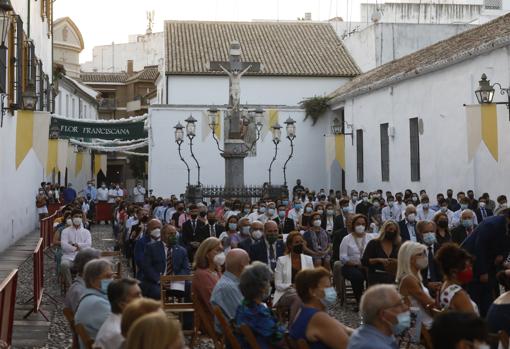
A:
x: 438, y: 99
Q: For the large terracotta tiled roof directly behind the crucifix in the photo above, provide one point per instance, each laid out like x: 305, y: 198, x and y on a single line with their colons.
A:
x: 283, y: 48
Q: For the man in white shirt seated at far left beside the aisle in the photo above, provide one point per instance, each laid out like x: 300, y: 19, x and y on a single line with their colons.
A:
x: 73, y: 239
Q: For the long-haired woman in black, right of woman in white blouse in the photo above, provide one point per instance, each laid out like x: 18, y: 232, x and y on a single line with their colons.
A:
x: 381, y: 254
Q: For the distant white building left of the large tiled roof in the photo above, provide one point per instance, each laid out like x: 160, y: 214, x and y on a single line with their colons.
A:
x: 148, y: 50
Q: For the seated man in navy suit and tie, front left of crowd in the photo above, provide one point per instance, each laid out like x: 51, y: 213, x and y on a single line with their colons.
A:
x: 164, y: 257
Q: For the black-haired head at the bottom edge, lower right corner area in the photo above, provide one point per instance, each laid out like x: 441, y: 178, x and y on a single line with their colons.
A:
x: 459, y: 330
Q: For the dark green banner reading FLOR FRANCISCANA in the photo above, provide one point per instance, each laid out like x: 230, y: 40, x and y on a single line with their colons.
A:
x: 60, y: 128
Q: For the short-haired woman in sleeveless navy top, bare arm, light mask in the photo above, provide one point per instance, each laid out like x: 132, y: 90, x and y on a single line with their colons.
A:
x: 313, y: 323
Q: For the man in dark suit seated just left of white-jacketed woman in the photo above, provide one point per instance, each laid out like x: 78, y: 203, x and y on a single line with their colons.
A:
x: 268, y: 249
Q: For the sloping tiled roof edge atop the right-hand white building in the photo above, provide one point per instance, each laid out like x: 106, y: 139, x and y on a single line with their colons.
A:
x: 465, y: 45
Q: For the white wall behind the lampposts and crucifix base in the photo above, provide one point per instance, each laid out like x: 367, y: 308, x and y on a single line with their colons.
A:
x: 167, y: 174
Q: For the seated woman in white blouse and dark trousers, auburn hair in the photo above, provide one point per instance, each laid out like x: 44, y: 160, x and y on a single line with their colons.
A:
x: 351, y: 251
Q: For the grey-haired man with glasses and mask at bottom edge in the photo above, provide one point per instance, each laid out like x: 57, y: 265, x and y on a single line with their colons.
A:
x: 384, y: 314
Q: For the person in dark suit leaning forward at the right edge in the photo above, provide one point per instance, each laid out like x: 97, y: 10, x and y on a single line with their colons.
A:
x: 489, y: 244
